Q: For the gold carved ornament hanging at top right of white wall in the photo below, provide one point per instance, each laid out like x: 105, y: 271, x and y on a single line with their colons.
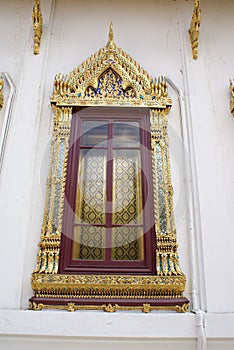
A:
x: 194, y: 28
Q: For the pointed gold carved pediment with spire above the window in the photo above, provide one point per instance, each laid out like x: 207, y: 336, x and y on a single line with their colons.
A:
x: 110, y: 76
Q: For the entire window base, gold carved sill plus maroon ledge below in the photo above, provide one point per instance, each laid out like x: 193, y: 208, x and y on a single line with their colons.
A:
x: 108, y: 292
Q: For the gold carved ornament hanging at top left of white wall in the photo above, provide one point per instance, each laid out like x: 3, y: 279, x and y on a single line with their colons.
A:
x: 37, y: 26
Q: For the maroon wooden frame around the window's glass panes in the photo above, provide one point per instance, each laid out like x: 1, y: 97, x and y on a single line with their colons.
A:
x: 67, y: 264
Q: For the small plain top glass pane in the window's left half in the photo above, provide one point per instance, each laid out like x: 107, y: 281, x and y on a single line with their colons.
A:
x: 94, y: 133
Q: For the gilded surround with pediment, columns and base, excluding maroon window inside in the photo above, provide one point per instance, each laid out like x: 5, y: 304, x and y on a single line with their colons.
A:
x: 109, y: 292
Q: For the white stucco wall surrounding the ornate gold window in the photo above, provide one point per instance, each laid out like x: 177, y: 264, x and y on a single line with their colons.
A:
x: 155, y: 34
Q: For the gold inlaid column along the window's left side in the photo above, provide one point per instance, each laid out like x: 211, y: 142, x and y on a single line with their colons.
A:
x: 47, y: 260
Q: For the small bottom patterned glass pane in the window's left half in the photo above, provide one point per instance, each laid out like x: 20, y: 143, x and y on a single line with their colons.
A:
x: 88, y: 243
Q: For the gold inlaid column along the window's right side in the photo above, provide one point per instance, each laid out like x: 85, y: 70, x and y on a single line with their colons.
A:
x: 167, y: 257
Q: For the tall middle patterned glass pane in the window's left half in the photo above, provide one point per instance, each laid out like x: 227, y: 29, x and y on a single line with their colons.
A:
x: 91, y: 187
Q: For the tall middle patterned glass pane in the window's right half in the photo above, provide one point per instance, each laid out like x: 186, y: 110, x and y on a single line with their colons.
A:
x: 127, y: 187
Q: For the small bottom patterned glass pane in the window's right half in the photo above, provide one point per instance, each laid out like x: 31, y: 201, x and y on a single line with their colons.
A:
x: 127, y: 243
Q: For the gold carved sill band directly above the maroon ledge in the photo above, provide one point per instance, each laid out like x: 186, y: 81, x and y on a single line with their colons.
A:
x: 108, y: 286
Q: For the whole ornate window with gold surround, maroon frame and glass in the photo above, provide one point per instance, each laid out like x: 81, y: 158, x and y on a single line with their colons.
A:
x: 108, y: 239
